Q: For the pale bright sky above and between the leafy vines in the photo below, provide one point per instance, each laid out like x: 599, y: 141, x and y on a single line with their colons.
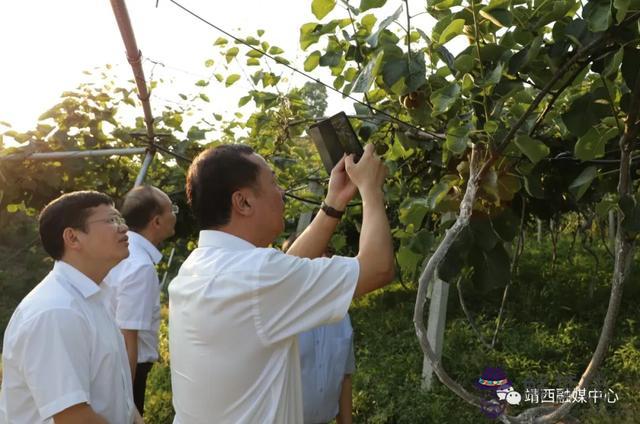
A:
x: 46, y: 45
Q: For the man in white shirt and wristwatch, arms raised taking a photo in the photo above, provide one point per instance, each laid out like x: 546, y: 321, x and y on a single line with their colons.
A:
x: 237, y: 305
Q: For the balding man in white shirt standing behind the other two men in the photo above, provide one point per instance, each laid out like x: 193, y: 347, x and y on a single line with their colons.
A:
x: 135, y: 300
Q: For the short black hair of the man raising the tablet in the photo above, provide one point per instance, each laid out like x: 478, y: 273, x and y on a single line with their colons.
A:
x: 213, y: 177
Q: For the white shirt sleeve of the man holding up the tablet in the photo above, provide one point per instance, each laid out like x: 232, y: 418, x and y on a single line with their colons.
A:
x: 292, y: 294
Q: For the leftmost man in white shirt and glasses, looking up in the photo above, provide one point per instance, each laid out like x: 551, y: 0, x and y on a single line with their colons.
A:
x: 63, y: 356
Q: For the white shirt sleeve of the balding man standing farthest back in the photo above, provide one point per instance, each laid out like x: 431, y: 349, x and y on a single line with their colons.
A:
x: 135, y: 298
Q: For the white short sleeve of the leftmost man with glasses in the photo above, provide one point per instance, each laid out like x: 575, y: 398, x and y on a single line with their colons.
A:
x: 57, y: 361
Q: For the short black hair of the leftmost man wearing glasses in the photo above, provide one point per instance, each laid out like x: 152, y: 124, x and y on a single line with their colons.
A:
x: 67, y: 211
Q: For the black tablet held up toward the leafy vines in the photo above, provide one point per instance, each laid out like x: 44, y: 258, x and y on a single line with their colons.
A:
x: 334, y: 137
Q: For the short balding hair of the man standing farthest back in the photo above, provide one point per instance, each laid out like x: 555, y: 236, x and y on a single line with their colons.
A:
x: 139, y: 206
